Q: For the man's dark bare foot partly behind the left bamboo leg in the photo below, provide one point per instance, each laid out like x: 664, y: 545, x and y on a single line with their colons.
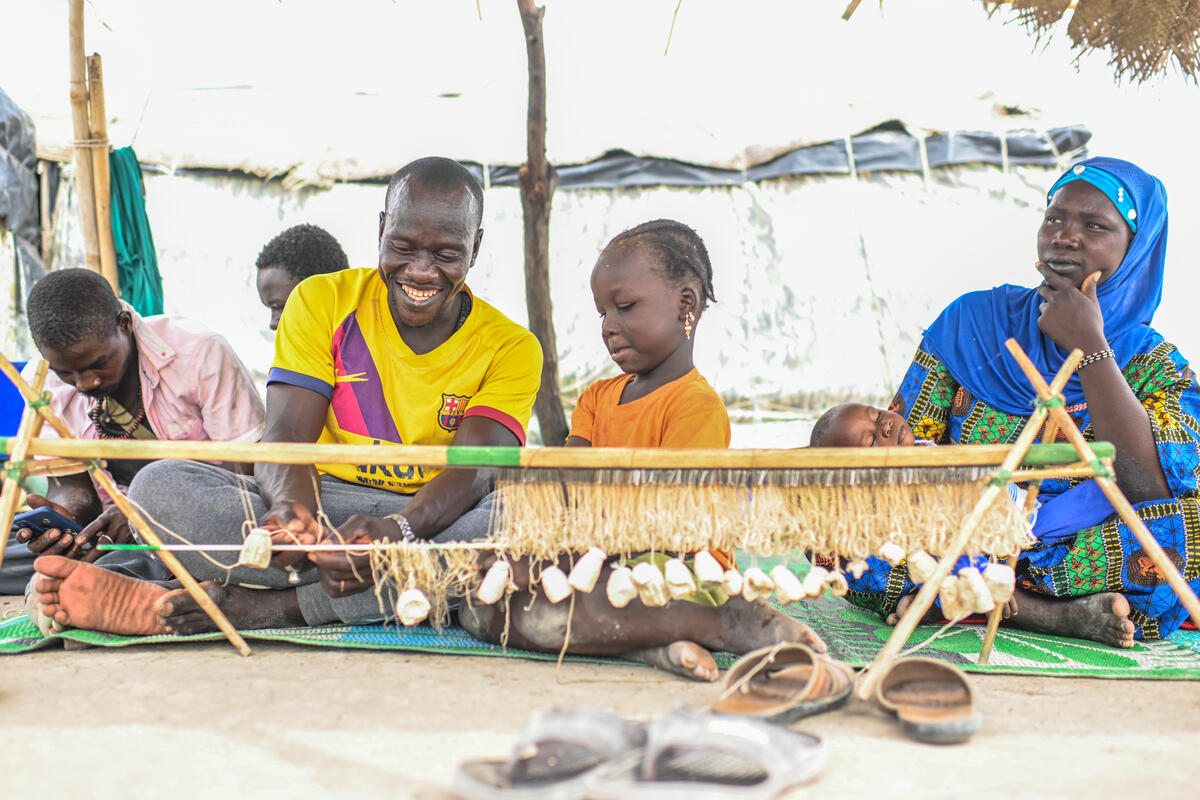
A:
x: 248, y: 609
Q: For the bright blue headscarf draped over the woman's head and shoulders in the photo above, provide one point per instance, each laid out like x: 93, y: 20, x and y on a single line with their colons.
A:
x: 969, y: 336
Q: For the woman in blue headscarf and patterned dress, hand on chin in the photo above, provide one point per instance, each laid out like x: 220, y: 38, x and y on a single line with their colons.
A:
x: 1102, y: 248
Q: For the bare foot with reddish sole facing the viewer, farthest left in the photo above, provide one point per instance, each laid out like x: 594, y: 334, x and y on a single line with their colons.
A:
x: 83, y: 596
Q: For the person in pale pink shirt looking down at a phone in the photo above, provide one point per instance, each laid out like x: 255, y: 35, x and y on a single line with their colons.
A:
x: 119, y: 376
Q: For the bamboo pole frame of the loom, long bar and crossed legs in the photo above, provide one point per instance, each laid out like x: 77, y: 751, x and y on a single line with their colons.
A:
x: 88, y: 453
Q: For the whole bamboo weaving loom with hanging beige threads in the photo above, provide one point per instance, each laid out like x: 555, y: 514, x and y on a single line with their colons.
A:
x: 845, y: 502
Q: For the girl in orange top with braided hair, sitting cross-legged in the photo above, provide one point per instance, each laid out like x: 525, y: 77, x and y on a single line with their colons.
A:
x: 651, y: 286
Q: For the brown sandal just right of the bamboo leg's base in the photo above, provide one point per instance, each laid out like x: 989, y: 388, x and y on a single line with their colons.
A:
x: 933, y: 700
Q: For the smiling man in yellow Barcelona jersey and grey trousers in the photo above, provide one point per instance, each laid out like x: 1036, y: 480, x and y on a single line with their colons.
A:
x: 401, y: 354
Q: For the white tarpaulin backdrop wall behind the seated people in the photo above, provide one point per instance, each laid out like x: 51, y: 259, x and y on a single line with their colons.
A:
x: 824, y: 282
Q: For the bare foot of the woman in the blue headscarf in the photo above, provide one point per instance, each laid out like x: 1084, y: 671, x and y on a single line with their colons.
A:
x: 1102, y: 618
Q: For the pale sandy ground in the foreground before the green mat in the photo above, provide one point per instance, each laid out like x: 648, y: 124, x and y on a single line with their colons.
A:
x: 181, y: 721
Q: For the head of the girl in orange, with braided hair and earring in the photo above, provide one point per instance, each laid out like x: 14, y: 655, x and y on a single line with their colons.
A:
x: 651, y: 286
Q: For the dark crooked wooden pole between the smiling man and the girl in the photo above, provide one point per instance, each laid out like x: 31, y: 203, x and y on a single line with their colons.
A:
x: 538, y: 181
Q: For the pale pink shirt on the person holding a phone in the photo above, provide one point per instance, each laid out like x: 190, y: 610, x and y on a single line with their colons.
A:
x: 194, y: 388
